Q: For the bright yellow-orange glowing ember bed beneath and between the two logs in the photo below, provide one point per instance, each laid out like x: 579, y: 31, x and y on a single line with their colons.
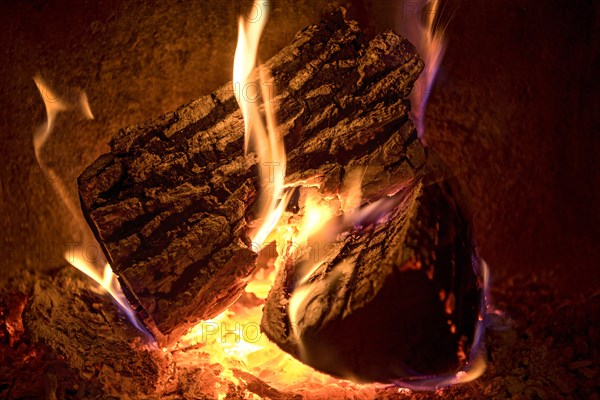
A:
x: 234, y: 340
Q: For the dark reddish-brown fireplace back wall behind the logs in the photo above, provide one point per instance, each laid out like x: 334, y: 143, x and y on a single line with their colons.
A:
x: 514, y: 112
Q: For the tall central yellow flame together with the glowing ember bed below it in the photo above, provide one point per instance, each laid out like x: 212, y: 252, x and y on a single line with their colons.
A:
x: 225, y: 337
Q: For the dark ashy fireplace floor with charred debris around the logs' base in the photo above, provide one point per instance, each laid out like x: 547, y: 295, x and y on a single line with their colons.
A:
x: 47, y: 351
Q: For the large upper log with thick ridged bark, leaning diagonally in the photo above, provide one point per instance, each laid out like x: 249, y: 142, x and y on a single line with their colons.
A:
x: 171, y: 202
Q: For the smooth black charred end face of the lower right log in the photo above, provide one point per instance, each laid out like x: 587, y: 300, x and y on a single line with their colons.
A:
x: 401, y: 333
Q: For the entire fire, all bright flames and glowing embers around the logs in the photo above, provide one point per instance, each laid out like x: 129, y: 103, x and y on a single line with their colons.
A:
x: 233, y: 339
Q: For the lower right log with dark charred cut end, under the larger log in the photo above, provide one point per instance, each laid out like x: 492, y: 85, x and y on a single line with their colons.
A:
x: 391, y: 301
